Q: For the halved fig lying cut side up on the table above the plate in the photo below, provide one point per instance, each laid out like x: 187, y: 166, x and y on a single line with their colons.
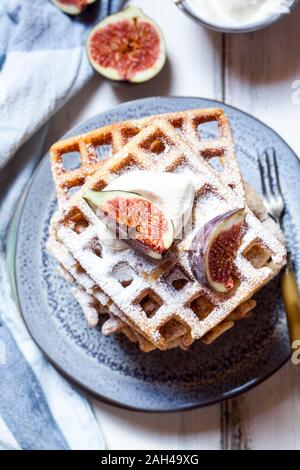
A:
x: 127, y: 46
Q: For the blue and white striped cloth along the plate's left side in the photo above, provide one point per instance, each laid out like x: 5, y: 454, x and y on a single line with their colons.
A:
x: 42, y: 64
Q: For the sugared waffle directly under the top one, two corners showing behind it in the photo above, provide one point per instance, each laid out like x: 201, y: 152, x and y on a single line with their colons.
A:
x: 87, y: 151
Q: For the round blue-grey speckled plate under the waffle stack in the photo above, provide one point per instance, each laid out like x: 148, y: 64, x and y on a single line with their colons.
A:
x: 114, y: 369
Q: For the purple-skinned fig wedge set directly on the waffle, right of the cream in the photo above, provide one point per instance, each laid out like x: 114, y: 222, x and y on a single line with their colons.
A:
x: 214, y: 249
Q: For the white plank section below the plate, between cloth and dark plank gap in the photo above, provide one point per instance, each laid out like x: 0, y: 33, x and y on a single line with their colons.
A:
x: 196, y: 429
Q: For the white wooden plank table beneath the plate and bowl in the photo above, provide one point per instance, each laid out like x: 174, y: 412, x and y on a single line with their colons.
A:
x: 256, y: 73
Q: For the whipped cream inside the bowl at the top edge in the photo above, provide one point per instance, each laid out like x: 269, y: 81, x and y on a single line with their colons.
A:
x: 238, y: 12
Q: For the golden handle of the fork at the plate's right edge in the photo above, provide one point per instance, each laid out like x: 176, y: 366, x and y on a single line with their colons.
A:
x: 291, y: 300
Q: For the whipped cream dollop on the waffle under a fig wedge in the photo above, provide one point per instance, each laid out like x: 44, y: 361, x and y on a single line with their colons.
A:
x: 172, y: 193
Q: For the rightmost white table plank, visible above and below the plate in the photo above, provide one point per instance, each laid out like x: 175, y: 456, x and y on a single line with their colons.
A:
x: 260, y: 70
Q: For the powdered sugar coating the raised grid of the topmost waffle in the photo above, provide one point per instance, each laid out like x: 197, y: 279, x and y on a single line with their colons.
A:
x: 150, y: 275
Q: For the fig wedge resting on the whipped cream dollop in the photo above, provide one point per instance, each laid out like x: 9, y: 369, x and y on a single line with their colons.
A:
x: 134, y: 219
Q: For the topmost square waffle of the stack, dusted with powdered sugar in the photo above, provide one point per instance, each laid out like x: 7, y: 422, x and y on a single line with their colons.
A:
x: 193, y: 308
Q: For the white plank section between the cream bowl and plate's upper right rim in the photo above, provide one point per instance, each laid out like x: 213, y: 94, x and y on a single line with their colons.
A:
x: 260, y: 70
